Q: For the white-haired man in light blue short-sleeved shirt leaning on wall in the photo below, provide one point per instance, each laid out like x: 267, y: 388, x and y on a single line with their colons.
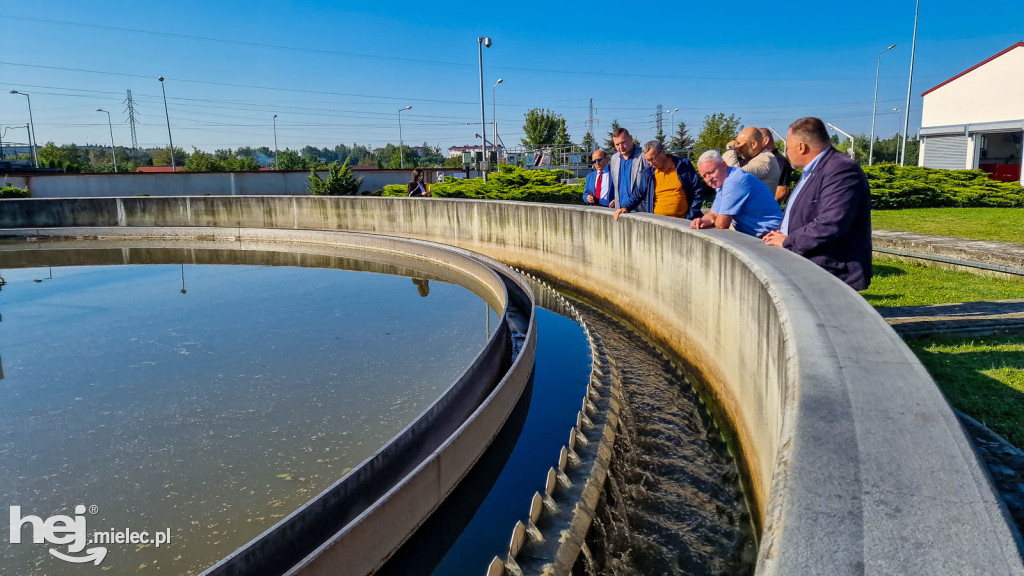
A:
x: 743, y: 200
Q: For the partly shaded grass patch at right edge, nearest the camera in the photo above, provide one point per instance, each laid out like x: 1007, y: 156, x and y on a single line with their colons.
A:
x: 984, y: 378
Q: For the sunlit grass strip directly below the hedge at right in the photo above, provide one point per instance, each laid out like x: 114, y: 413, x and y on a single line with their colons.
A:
x: 1001, y: 225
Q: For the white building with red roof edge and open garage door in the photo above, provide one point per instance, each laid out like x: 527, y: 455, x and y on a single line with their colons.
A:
x: 976, y: 118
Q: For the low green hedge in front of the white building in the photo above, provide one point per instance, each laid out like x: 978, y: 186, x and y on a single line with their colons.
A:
x: 911, y: 187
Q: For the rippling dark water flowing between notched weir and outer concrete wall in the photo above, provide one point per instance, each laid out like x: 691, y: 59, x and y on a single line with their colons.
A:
x: 673, y: 503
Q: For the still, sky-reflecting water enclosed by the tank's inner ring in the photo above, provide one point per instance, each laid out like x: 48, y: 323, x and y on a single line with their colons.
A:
x: 211, y: 400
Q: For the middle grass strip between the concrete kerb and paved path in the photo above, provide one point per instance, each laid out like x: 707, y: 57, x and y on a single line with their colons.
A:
x: 907, y: 284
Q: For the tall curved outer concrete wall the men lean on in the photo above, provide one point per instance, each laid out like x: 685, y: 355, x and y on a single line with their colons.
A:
x: 857, y: 461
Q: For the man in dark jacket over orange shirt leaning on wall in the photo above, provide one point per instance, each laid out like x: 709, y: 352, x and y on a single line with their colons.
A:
x: 669, y: 186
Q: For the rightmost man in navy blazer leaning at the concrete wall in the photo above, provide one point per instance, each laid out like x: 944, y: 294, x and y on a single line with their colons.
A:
x: 829, y: 217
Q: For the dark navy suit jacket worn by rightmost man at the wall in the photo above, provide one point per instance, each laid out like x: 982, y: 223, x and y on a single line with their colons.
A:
x: 831, y: 220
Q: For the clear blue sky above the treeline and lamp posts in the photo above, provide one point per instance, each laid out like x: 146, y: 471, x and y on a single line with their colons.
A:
x: 338, y: 74
